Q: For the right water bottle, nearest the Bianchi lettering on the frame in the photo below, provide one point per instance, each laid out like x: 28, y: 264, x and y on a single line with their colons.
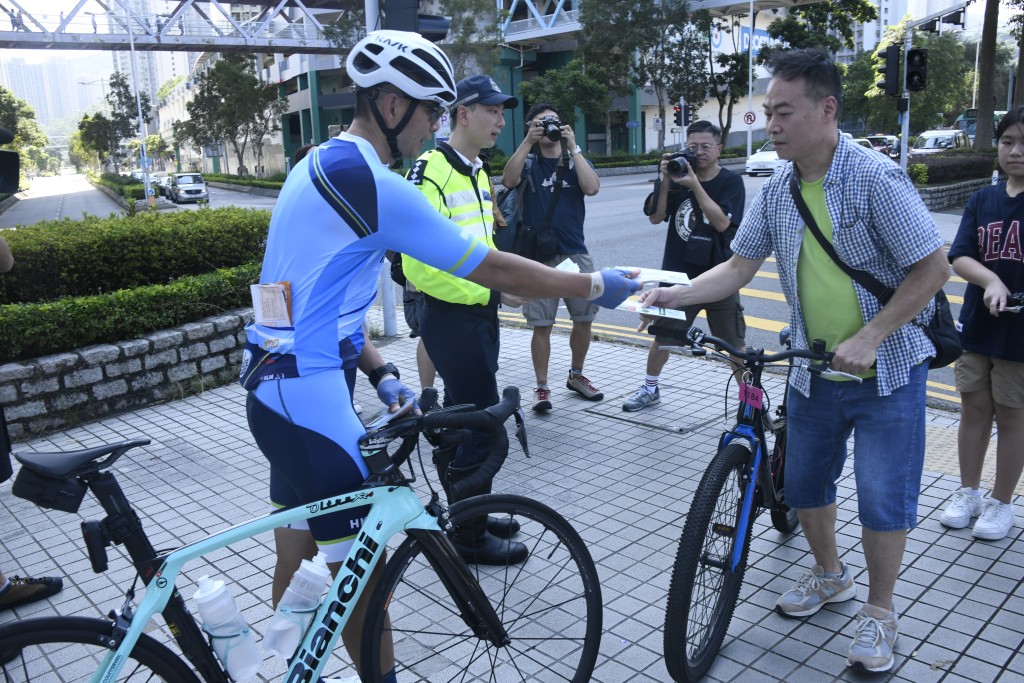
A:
x: 297, y: 608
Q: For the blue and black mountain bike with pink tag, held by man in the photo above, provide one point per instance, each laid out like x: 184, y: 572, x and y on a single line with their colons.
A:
x: 745, y: 479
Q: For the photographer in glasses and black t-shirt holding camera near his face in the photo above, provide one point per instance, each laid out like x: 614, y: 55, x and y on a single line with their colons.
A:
x: 704, y: 204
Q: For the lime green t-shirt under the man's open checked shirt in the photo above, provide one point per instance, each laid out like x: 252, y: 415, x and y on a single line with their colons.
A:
x: 827, y: 295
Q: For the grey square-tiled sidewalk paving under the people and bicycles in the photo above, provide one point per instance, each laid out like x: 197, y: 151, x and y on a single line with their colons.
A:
x: 625, y: 482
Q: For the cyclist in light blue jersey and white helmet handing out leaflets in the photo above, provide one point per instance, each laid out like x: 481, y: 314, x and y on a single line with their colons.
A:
x: 338, y: 212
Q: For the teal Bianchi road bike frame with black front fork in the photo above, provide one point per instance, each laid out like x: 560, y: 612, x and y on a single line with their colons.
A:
x: 394, y: 509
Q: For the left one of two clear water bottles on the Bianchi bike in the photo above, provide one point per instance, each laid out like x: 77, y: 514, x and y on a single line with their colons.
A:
x: 234, y: 643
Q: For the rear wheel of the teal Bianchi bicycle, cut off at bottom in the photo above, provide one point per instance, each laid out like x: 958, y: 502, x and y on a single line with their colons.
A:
x: 70, y: 649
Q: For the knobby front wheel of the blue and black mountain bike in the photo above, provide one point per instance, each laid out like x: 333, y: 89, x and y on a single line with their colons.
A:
x: 702, y: 596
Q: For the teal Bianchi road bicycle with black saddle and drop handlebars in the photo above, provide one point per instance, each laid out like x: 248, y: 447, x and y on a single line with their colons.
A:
x: 449, y: 621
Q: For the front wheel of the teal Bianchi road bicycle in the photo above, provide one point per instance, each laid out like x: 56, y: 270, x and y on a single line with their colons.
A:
x: 550, y: 606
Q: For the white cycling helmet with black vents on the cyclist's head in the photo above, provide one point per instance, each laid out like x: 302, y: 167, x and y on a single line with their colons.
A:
x: 405, y: 60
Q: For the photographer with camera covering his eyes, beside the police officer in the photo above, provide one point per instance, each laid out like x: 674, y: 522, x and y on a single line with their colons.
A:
x: 539, y: 161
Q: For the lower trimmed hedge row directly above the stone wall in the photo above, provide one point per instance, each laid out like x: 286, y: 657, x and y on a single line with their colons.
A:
x: 32, y: 330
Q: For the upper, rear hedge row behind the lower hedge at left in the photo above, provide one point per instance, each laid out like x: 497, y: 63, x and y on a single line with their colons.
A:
x: 67, y: 259
